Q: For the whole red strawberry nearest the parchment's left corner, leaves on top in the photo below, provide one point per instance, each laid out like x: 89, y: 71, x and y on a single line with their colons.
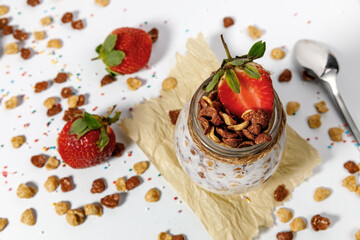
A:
x: 87, y: 140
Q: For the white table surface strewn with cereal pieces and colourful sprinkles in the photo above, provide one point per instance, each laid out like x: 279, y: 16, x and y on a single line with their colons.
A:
x: 335, y: 22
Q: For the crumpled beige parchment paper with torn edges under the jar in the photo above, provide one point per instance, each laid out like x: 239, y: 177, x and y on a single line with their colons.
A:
x: 224, y: 217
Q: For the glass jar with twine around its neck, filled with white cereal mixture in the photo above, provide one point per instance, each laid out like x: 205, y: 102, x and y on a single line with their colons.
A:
x: 222, y: 169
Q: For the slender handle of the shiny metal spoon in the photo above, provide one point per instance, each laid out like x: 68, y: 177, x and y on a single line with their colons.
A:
x: 331, y: 79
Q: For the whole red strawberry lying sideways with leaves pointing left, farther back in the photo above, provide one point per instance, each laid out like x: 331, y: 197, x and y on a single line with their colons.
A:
x: 126, y: 50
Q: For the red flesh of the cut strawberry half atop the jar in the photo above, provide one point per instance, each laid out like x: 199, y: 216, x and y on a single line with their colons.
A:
x: 254, y: 93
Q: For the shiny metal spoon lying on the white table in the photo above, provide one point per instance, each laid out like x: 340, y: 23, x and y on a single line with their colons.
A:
x: 319, y: 62
